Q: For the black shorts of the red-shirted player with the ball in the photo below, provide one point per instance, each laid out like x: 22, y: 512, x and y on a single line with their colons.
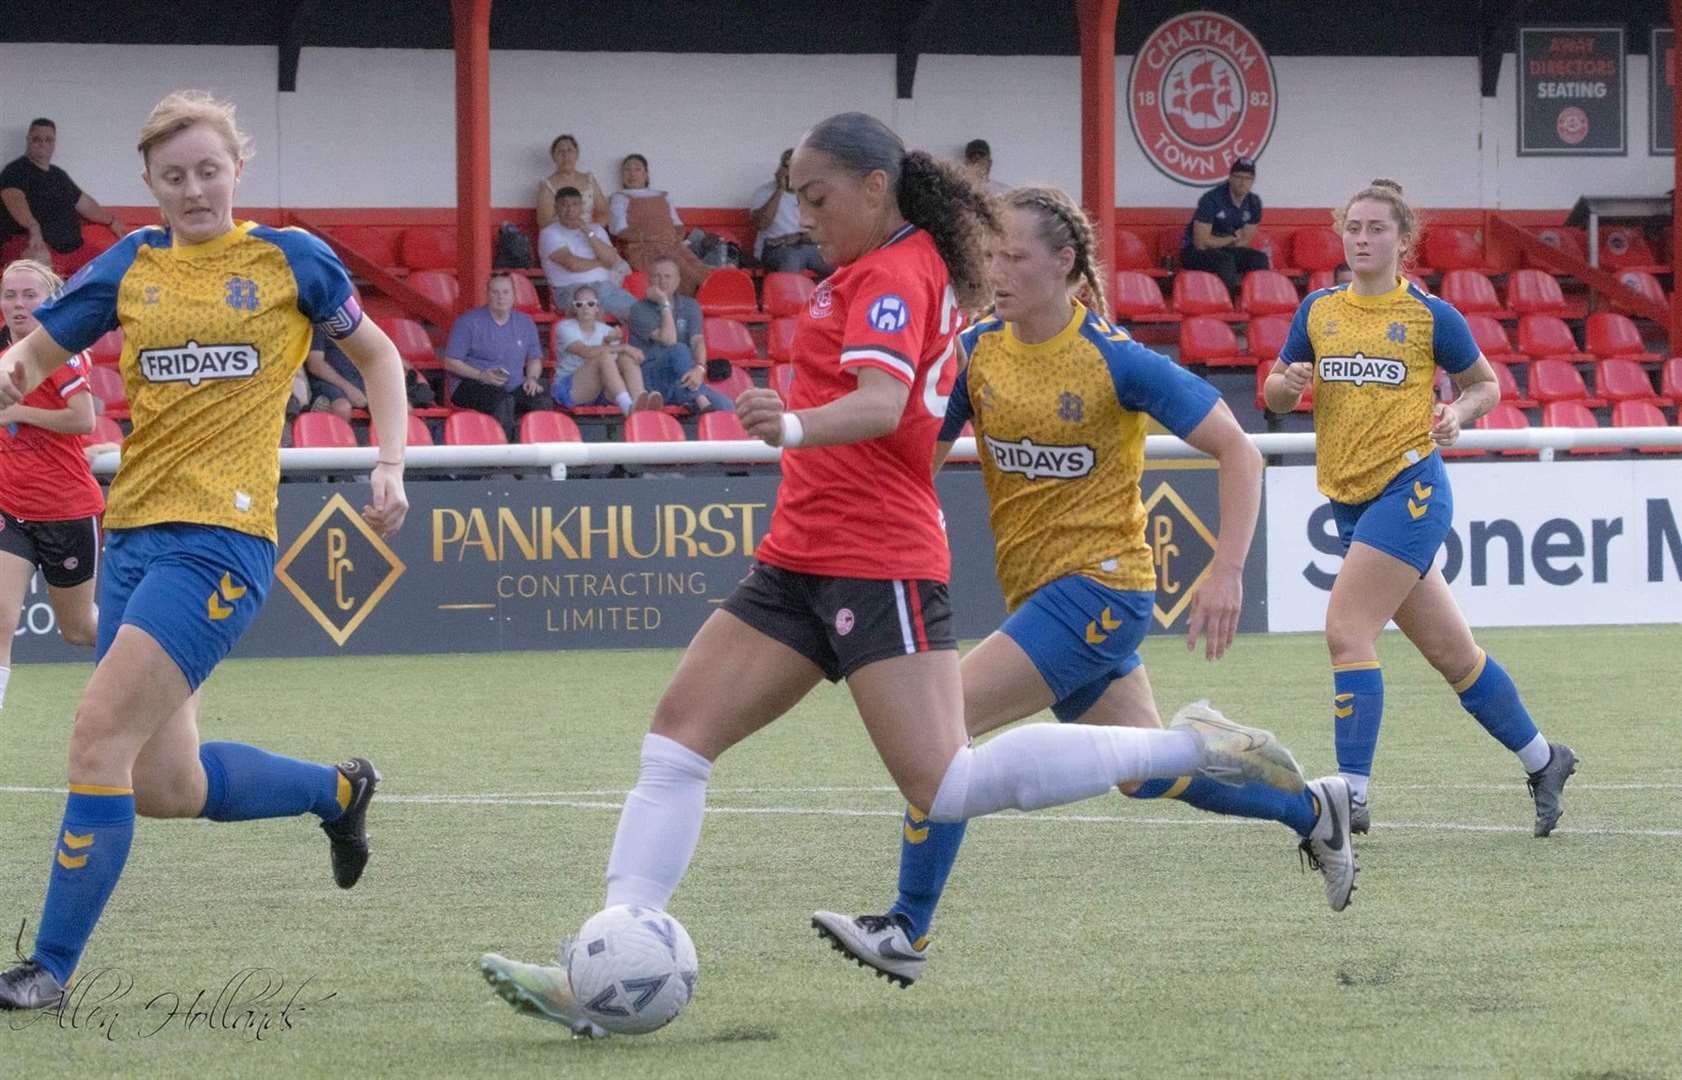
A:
x: 844, y: 623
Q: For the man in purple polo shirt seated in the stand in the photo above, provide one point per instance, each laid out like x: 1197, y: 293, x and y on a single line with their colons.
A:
x: 495, y: 357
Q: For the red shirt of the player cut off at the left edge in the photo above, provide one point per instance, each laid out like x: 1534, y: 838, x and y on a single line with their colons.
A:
x: 43, y: 474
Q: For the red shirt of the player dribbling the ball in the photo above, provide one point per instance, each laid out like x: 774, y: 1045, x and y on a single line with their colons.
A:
x: 870, y: 509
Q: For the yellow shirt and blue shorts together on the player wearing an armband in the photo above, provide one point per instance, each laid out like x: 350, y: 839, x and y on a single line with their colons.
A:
x: 213, y: 336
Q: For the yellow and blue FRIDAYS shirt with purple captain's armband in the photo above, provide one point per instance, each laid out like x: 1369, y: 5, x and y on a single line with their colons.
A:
x: 213, y: 336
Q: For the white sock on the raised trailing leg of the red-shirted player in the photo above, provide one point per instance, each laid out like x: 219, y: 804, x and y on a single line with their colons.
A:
x: 1050, y: 765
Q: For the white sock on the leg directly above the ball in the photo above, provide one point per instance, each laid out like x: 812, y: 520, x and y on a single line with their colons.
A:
x: 660, y: 825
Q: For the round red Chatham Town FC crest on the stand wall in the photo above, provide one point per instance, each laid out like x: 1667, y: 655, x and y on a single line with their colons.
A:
x: 1200, y: 95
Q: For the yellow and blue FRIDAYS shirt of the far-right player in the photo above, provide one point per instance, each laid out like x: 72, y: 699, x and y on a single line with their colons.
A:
x: 1375, y: 371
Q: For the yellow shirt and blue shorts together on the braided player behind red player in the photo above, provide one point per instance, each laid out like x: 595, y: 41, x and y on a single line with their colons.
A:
x: 1061, y: 430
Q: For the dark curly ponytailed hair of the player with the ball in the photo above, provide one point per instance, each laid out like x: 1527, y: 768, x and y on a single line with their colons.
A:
x: 931, y: 194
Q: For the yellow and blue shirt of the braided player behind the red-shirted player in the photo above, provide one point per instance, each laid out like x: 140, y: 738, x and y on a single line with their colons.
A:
x: 1061, y: 430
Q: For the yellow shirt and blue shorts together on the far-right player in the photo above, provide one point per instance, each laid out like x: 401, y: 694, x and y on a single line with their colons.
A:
x: 1375, y: 374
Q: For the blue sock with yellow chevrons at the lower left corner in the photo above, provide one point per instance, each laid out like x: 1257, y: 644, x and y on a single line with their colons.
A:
x: 88, y: 860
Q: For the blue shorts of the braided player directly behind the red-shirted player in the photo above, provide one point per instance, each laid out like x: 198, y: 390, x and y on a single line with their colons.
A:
x: 1082, y: 637
